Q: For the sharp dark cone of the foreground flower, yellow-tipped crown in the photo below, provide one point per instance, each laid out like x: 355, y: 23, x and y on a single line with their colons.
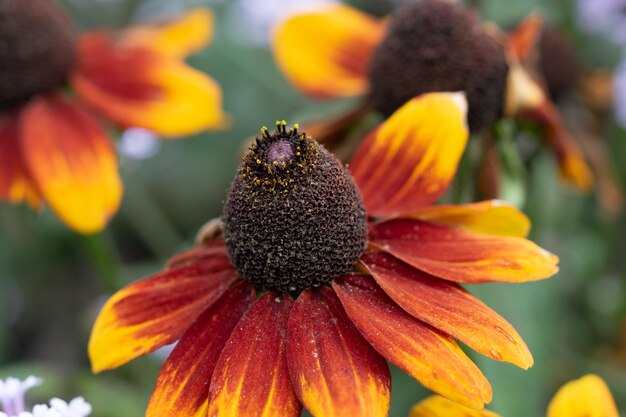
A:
x: 294, y: 218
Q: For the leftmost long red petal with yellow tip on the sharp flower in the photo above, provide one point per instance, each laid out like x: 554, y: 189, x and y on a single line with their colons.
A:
x: 156, y: 311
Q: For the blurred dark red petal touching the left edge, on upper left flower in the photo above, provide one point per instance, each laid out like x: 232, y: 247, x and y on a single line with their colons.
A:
x: 15, y: 185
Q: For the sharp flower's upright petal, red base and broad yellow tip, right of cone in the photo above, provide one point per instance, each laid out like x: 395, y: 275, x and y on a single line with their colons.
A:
x: 409, y: 161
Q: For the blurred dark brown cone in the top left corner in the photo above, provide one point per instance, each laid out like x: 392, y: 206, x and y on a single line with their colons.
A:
x: 37, y: 49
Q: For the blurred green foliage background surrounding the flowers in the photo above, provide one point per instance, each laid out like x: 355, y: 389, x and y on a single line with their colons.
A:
x: 52, y: 282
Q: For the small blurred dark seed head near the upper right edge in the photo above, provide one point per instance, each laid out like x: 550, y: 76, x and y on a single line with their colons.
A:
x: 558, y: 62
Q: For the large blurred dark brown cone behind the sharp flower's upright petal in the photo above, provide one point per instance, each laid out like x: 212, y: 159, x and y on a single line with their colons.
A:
x: 435, y: 45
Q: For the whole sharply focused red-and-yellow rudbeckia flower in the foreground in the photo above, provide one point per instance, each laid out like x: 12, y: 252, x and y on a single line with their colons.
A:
x: 374, y: 269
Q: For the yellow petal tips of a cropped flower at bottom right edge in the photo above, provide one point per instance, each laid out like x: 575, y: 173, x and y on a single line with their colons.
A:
x: 584, y: 397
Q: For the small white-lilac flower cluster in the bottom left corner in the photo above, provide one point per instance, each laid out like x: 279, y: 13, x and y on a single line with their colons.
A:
x: 12, y: 392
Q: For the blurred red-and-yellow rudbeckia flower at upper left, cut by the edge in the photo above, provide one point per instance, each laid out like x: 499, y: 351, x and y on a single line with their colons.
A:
x: 56, y: 88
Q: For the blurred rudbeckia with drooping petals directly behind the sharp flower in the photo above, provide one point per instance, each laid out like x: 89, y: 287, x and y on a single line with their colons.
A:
x: 427, y: 46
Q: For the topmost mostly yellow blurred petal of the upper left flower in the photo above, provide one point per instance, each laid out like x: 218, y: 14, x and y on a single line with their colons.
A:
x: 178, y: 38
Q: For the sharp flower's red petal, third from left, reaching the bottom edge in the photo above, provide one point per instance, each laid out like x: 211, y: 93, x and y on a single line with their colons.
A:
x: 251, y: 377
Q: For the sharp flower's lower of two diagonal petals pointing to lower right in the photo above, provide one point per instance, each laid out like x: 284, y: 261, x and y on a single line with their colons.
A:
x: 431, y: 357
